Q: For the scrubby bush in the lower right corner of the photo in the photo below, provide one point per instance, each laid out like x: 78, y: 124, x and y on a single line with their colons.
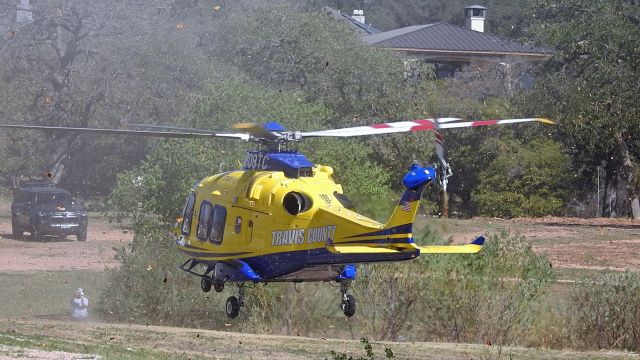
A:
x: 604, y: 311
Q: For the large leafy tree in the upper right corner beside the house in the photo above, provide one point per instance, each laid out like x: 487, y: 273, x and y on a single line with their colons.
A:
x: 590, y: 87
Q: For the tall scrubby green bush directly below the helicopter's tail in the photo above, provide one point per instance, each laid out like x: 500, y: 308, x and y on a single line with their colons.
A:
x: 490, y: 296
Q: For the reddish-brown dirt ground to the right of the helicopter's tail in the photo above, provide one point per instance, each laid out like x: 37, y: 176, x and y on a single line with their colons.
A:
x: 570, y: 243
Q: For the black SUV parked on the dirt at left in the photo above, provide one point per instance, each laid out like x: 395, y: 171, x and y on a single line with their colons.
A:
x: 47, y: 210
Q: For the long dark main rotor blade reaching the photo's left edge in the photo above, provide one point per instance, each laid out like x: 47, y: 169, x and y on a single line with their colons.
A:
x: 162, y: 134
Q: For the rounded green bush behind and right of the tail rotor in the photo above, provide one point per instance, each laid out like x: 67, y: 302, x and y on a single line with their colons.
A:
x: 524, y: 180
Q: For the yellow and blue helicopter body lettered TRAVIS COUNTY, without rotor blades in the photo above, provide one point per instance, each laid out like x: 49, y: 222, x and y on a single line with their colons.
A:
x: 266, y: 225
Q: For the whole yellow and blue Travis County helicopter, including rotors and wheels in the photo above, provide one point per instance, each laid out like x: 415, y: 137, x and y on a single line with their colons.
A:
x: 281, y: 218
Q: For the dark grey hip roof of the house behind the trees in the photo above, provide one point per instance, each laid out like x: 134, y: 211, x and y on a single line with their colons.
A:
x: 451, y: 38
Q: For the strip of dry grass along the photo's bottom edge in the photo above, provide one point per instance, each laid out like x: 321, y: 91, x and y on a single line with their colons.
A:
x: 120, y: 341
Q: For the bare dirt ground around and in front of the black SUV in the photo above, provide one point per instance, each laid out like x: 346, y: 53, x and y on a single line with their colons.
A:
x: 52, y: 253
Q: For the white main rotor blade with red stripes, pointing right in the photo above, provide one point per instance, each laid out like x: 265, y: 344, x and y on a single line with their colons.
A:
x: 414, y: 126
